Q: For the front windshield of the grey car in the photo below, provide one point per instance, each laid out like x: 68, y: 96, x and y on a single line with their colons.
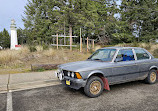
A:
x: 103, y: 55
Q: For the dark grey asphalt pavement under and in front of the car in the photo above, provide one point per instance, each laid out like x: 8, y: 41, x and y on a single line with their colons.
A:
x: 131, y: 96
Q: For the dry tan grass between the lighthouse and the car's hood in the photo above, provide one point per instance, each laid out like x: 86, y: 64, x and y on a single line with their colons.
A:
x: 15, y: 61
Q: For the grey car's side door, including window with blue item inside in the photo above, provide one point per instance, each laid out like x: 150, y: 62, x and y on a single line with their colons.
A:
x: 125, y: 67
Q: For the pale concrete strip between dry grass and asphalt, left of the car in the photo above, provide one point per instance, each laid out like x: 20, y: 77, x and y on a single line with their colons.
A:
x: 22, y: 81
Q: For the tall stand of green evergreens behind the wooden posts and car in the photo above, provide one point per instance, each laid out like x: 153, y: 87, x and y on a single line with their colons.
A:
x: 103, y: 20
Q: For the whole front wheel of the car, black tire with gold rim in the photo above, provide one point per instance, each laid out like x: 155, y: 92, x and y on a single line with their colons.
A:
x: 94, y: 87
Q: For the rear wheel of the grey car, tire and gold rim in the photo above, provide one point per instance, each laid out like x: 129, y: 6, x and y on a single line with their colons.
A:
x: 152, y: 77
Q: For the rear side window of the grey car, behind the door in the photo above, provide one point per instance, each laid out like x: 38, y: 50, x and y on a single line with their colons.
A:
x: 141, y: 54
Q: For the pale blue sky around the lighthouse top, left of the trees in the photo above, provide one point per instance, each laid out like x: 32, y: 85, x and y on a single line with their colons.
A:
x: 11, y: 9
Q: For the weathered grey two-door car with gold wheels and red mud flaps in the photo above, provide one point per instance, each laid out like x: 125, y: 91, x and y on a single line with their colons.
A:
x: 108, y: 66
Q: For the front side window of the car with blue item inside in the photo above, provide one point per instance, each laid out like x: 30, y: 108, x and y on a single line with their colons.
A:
x: 125, y: 55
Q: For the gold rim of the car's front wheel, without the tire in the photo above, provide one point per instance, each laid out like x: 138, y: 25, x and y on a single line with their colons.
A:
x: 95, y: 87
